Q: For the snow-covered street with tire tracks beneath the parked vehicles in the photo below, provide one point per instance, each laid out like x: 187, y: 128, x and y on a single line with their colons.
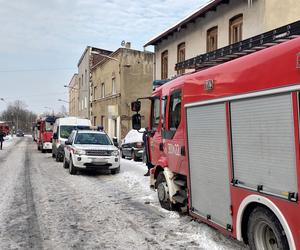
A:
x: 43, y: 207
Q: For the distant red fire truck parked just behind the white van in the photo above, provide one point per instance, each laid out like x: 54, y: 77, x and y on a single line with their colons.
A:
x: 45, y: 132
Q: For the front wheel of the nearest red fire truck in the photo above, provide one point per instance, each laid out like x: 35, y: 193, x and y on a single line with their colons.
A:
x: 163, y: 192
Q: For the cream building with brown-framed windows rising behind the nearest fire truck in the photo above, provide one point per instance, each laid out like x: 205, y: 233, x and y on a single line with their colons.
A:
x: 217, y: 24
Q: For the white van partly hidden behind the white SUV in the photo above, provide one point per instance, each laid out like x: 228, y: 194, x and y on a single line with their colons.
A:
x: 63, y: 127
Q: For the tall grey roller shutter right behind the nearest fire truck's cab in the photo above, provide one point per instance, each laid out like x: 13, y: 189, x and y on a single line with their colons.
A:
x: 209, y: 176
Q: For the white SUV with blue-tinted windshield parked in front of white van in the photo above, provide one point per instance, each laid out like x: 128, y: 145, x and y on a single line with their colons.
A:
x: 88, y: 149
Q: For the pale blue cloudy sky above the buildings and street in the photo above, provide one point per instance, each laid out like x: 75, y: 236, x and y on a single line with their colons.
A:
x: 41, y: 41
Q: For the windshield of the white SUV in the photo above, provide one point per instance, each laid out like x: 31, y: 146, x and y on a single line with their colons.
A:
x: 92, y: 138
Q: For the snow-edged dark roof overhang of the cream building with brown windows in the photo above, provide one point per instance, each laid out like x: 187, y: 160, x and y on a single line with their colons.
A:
x: 210, y: 6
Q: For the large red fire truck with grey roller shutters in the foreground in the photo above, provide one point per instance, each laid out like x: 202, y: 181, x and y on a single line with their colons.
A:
x: 224, y: 140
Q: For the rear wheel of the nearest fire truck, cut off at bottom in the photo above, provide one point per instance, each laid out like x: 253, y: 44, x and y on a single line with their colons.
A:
x: 265, y: 231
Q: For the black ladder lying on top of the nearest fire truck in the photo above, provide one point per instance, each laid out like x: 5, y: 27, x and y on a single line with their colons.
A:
x: 242, y: 48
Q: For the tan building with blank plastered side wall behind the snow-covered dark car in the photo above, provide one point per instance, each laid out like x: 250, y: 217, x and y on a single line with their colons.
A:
x: 117, y: 80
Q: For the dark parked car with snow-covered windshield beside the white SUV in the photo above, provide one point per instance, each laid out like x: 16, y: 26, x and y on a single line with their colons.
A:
x: 133, y: 145
